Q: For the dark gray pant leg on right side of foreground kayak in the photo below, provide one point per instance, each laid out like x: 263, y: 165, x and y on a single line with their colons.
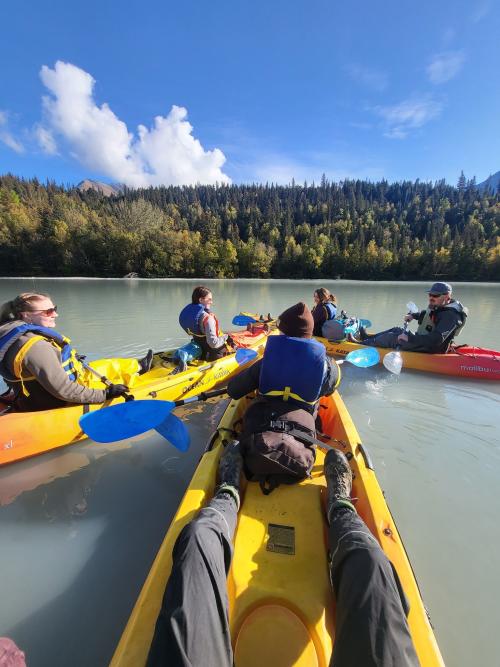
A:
x: 371, y: 629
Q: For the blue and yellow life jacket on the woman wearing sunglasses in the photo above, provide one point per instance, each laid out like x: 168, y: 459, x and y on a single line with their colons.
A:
x: 69, y: 361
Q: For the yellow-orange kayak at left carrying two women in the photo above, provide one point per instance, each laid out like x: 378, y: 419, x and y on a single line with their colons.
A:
x: 25, y: 434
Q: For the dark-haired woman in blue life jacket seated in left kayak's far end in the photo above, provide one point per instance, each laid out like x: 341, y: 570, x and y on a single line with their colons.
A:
x: 198, y: 321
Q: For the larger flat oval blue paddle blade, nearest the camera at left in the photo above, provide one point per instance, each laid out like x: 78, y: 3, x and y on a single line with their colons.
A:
x: 125, y: 420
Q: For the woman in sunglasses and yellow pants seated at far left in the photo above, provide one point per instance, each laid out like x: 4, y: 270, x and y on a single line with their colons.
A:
x: 41, y: 367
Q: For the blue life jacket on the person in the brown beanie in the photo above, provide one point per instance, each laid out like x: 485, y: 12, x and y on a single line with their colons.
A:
x: 293, y: 369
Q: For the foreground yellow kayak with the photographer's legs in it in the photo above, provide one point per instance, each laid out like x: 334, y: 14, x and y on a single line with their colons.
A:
x: 280, y: 600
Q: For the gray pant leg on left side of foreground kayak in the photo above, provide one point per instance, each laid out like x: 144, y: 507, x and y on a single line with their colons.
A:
x: 192, y: 629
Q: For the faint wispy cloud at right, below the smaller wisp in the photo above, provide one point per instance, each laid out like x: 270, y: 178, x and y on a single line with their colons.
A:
x: 402, y: 118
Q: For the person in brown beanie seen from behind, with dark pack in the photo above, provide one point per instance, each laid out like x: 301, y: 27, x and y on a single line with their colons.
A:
x: 279, y: 428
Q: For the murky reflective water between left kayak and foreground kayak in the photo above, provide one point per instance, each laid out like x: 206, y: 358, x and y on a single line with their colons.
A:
x: 80, y: 529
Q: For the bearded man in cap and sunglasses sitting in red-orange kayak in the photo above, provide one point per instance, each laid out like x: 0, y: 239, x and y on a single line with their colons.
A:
x: 438, y: 324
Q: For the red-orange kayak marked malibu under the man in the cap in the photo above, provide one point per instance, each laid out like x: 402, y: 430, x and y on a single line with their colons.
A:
x: 463, y: 361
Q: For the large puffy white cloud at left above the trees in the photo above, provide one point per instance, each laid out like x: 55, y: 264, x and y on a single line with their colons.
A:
x: 166, y: 154
